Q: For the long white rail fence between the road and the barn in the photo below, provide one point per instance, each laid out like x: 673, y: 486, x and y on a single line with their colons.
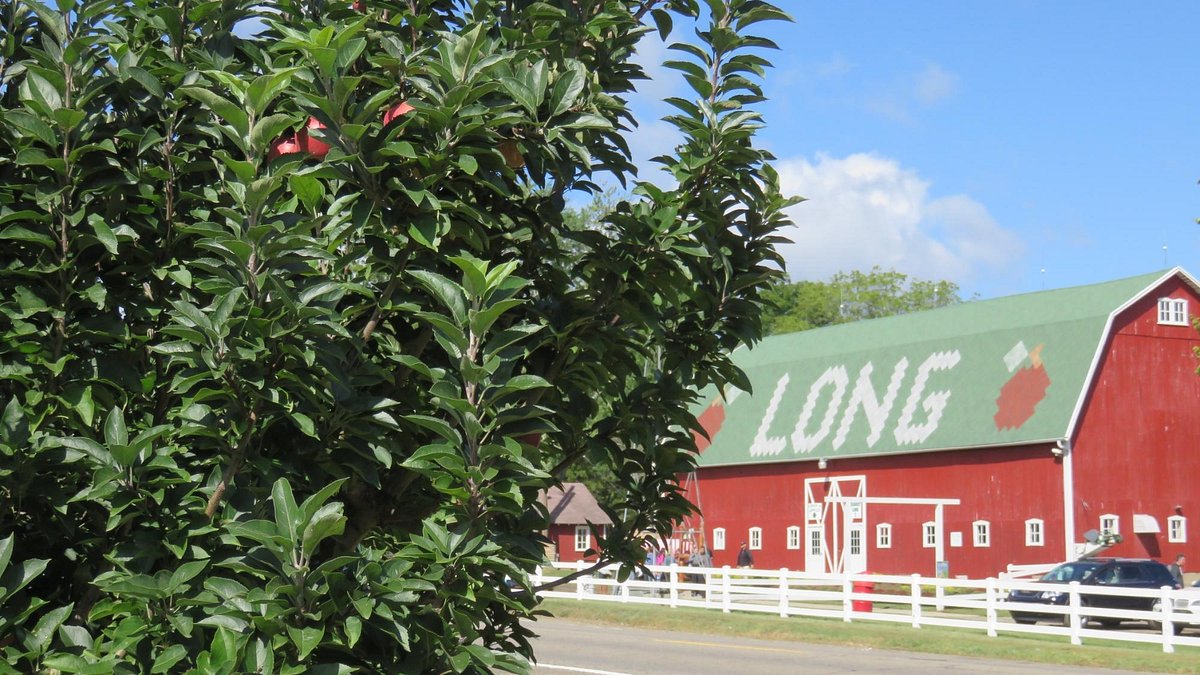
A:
x: 920, y: 601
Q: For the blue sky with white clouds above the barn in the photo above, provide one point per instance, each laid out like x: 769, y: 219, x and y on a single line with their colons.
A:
x: 979, y: 142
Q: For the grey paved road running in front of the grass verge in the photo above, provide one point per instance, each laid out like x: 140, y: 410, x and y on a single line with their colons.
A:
x: 567, y: 647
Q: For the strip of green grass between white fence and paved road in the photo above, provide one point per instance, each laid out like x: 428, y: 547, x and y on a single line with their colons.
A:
x: 931, y: 640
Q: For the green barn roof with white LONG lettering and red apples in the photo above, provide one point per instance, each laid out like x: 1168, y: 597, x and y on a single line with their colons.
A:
x: 988, y: 373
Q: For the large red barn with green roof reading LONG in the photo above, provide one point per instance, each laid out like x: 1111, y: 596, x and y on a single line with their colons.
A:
x: 965, y: 439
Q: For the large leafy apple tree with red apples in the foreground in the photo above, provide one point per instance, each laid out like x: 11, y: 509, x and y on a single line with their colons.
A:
x: 293, y: 331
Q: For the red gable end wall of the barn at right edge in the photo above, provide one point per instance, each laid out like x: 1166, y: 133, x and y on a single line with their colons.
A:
x: 1138, y: 450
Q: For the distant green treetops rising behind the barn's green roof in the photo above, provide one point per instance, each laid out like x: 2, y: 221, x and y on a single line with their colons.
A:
x: 853, y: 296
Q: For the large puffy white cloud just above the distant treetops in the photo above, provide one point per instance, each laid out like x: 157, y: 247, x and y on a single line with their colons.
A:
x: 867, y: 211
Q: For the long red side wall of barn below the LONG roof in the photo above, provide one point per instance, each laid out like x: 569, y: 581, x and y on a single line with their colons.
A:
x: 1005, y: 487
